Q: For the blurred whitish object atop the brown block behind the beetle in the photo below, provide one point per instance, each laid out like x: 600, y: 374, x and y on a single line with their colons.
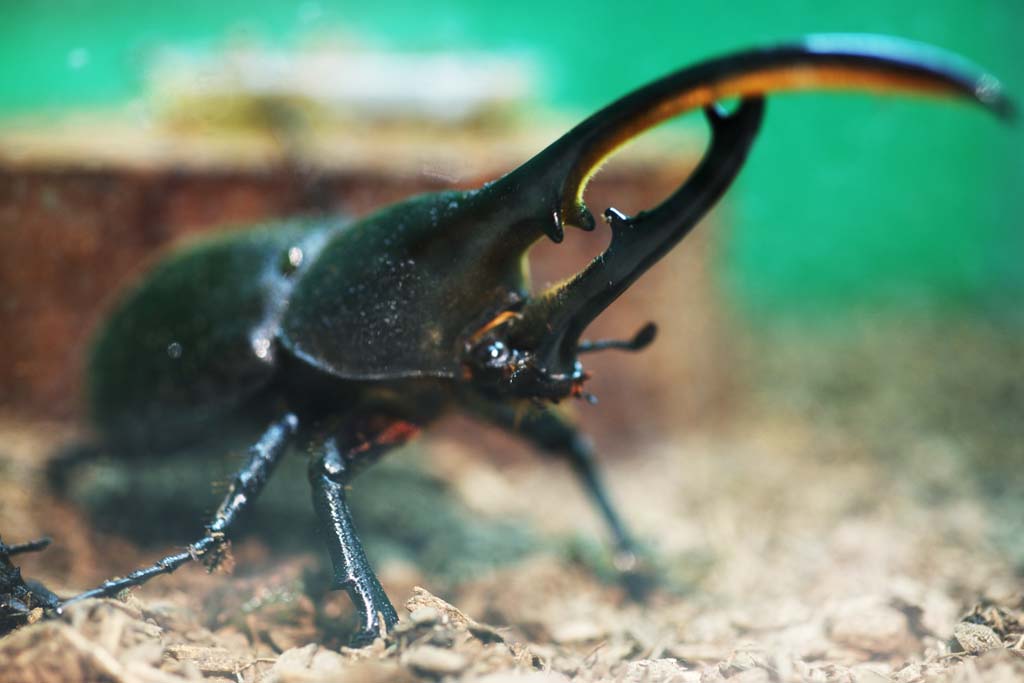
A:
x: 447, y: 88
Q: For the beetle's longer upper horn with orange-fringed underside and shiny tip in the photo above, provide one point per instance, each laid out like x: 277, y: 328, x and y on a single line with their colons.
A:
x: 818, y: 63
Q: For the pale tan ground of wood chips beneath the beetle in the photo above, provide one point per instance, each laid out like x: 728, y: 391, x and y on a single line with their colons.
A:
x: 848, y: 523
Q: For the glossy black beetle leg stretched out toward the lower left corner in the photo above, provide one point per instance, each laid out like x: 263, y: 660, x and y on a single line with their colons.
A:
x: 264, y: 457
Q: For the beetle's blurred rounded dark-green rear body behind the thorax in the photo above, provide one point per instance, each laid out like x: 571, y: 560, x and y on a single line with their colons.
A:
x: 195, y: 338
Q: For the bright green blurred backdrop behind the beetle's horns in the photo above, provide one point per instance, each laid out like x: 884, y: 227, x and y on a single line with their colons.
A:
x: 847, y: 204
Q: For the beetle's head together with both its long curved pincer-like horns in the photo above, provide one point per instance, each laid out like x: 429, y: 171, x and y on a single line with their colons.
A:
x: 531, y: 350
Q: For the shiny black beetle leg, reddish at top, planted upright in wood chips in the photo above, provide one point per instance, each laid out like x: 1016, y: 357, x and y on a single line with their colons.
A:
x: 342, y: 458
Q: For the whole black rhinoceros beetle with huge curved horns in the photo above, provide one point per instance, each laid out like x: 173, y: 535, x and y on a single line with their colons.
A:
x: 349, y: 338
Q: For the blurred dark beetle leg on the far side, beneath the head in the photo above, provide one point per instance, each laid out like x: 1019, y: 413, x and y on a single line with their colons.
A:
x: 550, y: 432
